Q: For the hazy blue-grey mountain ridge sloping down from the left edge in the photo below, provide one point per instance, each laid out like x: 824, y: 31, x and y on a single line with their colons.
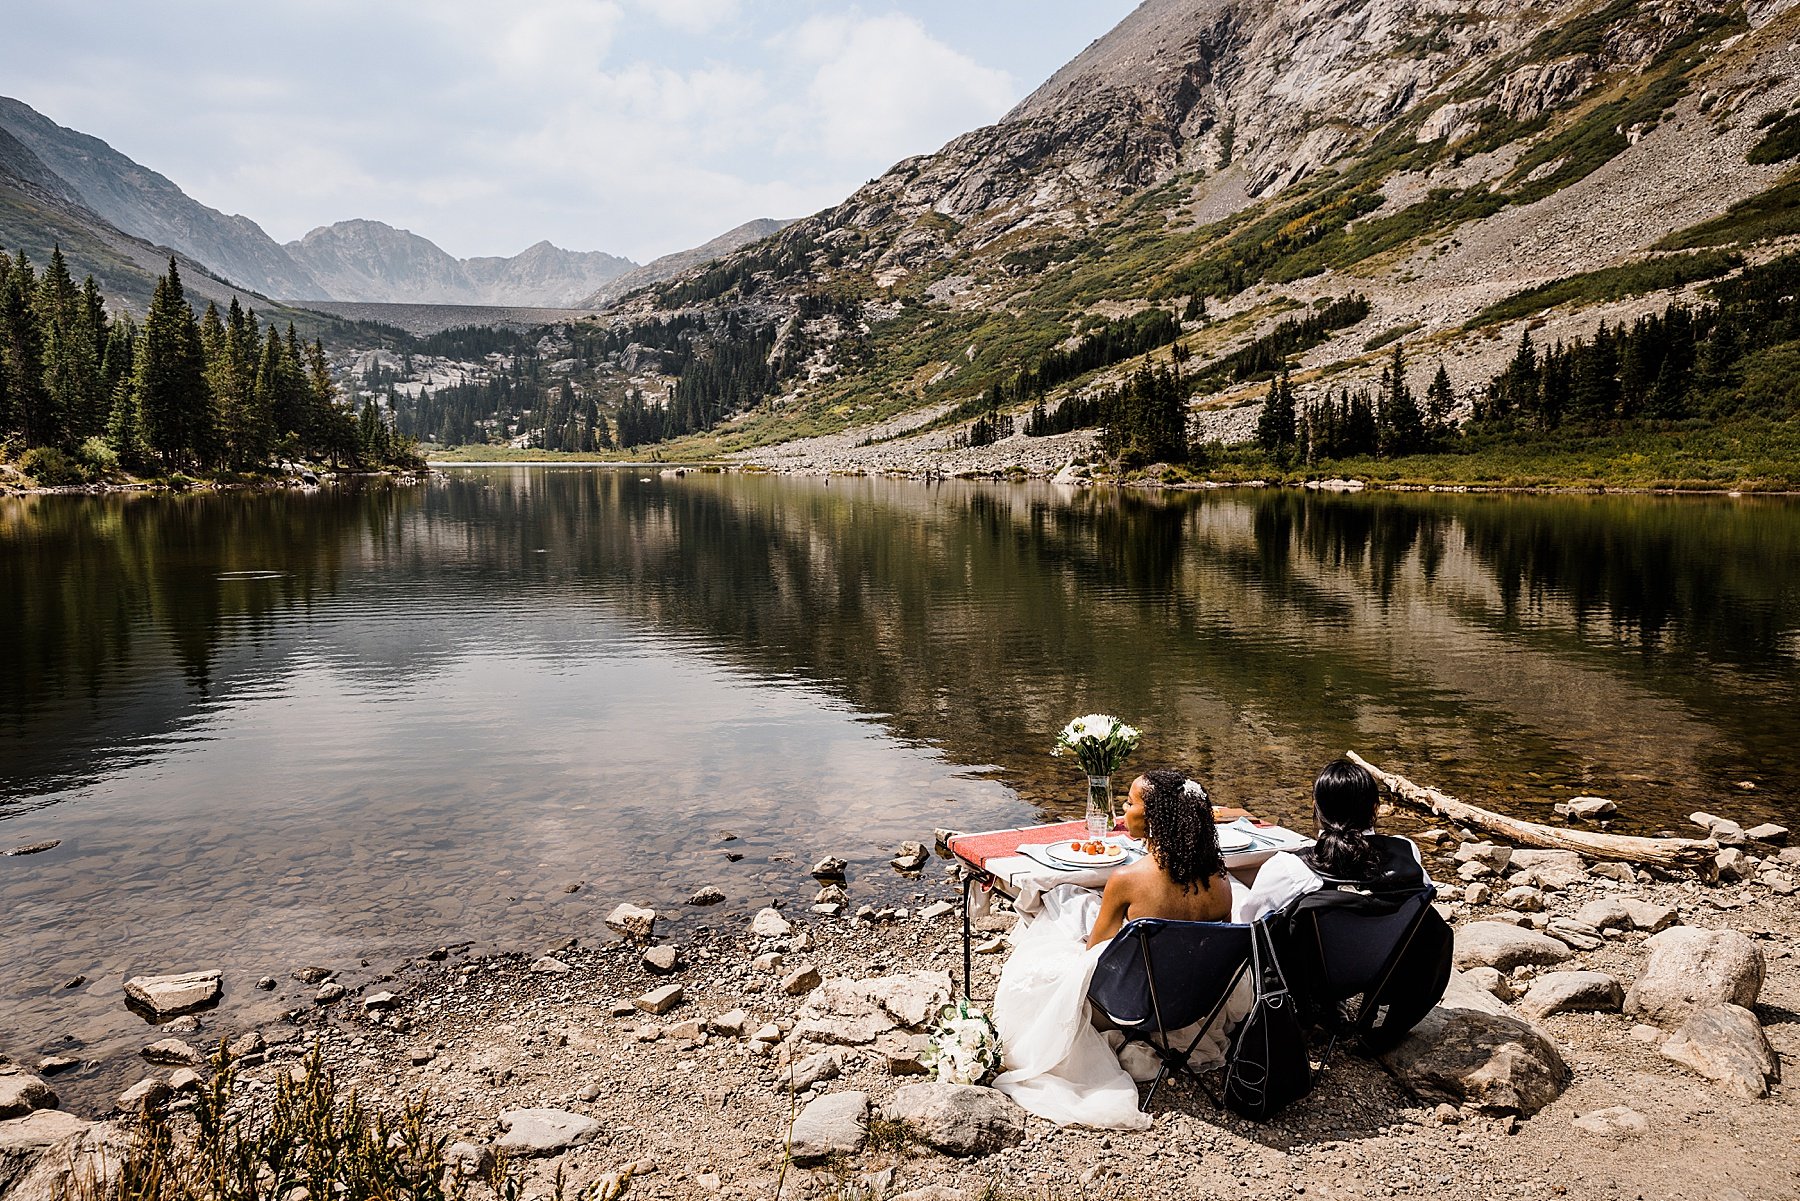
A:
x: 148, y: 206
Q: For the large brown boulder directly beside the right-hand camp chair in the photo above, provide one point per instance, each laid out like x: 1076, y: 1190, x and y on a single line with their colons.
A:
x: 1475, y: 1051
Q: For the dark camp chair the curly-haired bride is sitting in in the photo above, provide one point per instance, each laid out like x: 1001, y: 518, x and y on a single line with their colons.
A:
x: 1158, y: 977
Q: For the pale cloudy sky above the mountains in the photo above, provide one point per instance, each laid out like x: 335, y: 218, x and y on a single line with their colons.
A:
x: 636, y: 127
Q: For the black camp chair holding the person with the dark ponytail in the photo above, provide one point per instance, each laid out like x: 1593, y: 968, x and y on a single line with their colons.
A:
x: 1365, y: 966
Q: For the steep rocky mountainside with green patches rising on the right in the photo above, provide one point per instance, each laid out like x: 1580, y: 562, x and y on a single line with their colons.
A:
x: 1228, y: 161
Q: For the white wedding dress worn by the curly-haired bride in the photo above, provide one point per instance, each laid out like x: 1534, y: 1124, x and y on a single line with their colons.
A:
x: 1056, y: 1063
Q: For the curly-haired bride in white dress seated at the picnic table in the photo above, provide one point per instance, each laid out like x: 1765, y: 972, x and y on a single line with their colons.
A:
x: 1057, y: 1065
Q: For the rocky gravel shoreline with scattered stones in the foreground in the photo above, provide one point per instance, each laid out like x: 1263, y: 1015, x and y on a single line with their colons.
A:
x: 1608, y: 1034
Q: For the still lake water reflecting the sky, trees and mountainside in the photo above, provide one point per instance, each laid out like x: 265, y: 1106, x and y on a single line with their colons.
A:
x: 280, y: 730
